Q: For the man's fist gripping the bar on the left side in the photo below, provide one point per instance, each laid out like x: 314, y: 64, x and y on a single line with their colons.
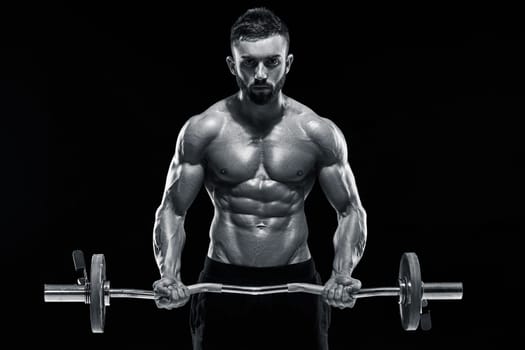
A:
x: 170, y: 293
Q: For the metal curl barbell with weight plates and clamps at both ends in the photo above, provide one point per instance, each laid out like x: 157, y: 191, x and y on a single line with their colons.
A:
x: 412, y: 293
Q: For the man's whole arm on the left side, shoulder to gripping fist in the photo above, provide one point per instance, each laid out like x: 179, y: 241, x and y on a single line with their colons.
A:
x: 183, y: 183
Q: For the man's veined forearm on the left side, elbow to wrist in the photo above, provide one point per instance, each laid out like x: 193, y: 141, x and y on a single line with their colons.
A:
x: 168, y: 241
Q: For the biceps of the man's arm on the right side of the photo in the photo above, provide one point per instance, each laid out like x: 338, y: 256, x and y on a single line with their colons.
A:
x: 338, y: 184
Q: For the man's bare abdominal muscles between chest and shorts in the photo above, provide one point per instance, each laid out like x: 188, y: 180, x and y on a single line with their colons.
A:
x: 259, y: 233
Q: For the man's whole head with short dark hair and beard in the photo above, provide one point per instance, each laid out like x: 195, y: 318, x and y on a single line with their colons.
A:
x: 260, y: 60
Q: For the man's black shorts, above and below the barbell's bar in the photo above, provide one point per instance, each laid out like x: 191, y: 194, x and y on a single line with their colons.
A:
x: 275, y: 321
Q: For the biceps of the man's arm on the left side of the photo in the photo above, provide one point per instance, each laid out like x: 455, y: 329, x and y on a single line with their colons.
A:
x: 183, y: 183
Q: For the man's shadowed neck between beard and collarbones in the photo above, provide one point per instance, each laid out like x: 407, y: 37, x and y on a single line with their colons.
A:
x: 262, y: 115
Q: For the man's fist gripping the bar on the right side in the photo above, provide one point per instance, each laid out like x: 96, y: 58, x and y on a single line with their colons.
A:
x: 339, y: 289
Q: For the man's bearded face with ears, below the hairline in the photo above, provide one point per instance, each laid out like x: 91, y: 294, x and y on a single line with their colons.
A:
x: 260, y: 67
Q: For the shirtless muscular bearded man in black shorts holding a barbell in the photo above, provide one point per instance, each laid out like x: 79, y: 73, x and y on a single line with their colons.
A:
x: 258, y: 153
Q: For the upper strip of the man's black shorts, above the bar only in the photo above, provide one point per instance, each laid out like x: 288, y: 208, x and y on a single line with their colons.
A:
x: 219, y: 272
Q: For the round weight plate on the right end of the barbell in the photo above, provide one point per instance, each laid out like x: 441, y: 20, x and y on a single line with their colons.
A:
x: 411, y: 291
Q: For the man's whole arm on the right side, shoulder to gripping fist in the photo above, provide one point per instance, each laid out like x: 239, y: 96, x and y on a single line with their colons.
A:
x: 338, y: 184
